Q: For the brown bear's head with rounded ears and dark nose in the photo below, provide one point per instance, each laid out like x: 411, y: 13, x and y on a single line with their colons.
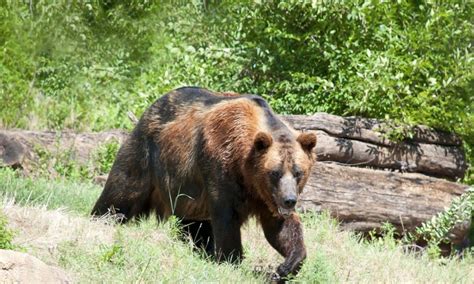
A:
x: 282, y: 163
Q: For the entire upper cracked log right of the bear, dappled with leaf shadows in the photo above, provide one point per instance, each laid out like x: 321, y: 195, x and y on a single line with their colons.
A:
x: 362, y: 142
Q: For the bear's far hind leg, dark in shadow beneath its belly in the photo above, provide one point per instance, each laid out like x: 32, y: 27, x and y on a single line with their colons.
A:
x: 201, y: 234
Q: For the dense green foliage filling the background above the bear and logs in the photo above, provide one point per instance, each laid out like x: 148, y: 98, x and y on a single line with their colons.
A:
x: 83, y: 64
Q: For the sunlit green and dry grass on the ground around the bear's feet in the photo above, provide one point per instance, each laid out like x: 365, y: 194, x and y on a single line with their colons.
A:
x: 50, y: 218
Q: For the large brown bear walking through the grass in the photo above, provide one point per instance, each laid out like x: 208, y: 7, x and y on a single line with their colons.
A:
x: 214, y: 160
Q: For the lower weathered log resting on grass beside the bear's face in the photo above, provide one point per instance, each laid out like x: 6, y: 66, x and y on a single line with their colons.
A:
x: 363, y: 199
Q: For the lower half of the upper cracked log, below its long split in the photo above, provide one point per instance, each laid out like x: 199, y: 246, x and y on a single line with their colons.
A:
x: 430, y: 159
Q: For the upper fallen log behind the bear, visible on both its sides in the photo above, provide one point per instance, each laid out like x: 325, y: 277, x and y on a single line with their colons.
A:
x: 352, y: 141
